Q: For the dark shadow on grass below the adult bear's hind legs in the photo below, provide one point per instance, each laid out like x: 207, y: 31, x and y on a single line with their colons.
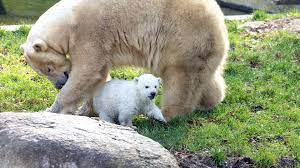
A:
x: 173, y: 134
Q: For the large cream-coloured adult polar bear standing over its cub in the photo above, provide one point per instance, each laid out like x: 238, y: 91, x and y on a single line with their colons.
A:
x: 183, y: 41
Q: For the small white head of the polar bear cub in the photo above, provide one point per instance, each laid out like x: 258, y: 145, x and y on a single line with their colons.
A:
x: 148, y: 85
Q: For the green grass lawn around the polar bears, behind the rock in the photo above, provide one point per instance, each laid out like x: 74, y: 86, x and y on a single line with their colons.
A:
x: 260, y: 117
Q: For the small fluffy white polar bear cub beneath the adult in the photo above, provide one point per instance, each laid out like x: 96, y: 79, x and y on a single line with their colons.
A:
x: 120, y: 100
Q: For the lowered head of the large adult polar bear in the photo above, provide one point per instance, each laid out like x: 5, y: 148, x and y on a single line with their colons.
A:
x: 46, y: 61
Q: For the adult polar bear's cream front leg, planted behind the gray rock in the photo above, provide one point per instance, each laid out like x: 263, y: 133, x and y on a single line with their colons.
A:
x: 88, y: 71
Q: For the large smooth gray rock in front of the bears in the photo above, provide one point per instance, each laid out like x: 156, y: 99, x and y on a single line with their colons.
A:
x: 42, y: 140
